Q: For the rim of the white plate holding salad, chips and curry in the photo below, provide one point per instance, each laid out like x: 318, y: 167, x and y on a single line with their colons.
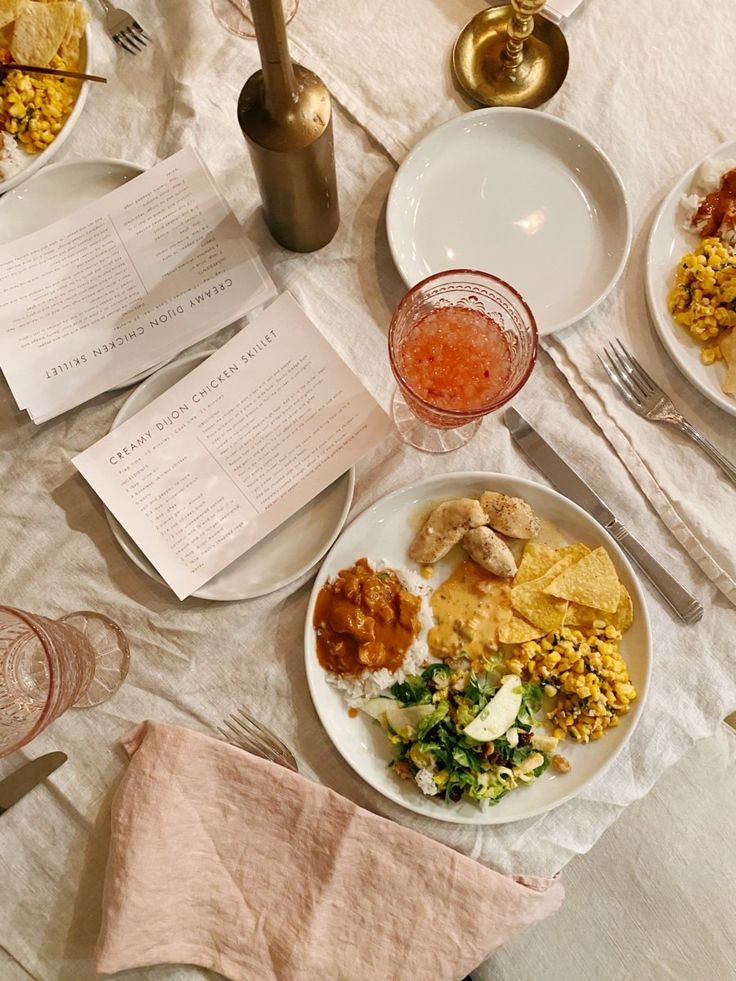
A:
x: 491, y: 817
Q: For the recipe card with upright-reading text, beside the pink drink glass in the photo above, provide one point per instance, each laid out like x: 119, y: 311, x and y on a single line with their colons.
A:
x: 236, y: 447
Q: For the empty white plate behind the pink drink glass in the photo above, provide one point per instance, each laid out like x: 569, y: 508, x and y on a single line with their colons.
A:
x: 519, y: 194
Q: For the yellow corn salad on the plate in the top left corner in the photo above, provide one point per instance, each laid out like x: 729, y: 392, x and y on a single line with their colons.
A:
x: 33, y: 108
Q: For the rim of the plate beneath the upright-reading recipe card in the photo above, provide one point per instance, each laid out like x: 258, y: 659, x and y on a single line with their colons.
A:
x: 124, y: 540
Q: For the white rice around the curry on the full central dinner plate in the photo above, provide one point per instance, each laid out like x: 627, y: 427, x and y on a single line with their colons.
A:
x: 372, y: 683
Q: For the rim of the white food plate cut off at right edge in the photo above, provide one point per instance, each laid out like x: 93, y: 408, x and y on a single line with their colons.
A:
x: 665, y: 326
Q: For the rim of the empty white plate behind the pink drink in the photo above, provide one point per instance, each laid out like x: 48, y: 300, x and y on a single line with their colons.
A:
x: 498, y: 113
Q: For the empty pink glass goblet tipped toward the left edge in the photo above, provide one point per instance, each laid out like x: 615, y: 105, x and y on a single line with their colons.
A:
x: 47, y: 666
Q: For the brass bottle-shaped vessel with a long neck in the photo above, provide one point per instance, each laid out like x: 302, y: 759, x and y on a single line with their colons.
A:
x: 285, y: 113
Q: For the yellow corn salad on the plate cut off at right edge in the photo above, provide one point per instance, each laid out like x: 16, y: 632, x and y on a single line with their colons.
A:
x: 703, y: 299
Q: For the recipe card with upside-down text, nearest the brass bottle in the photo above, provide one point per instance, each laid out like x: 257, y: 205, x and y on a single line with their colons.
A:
x: 121, y: 285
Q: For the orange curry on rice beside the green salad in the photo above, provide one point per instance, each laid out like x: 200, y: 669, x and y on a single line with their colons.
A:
x: 364, y: 619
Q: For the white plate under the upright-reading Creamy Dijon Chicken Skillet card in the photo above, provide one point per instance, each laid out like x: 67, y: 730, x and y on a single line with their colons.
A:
x: 287, y: 553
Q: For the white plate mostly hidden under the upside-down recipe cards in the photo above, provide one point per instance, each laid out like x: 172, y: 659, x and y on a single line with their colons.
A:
x: 58, y: 191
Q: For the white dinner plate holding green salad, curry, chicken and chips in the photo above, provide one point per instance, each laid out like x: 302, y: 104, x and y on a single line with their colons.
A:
x: 384, y: 531
